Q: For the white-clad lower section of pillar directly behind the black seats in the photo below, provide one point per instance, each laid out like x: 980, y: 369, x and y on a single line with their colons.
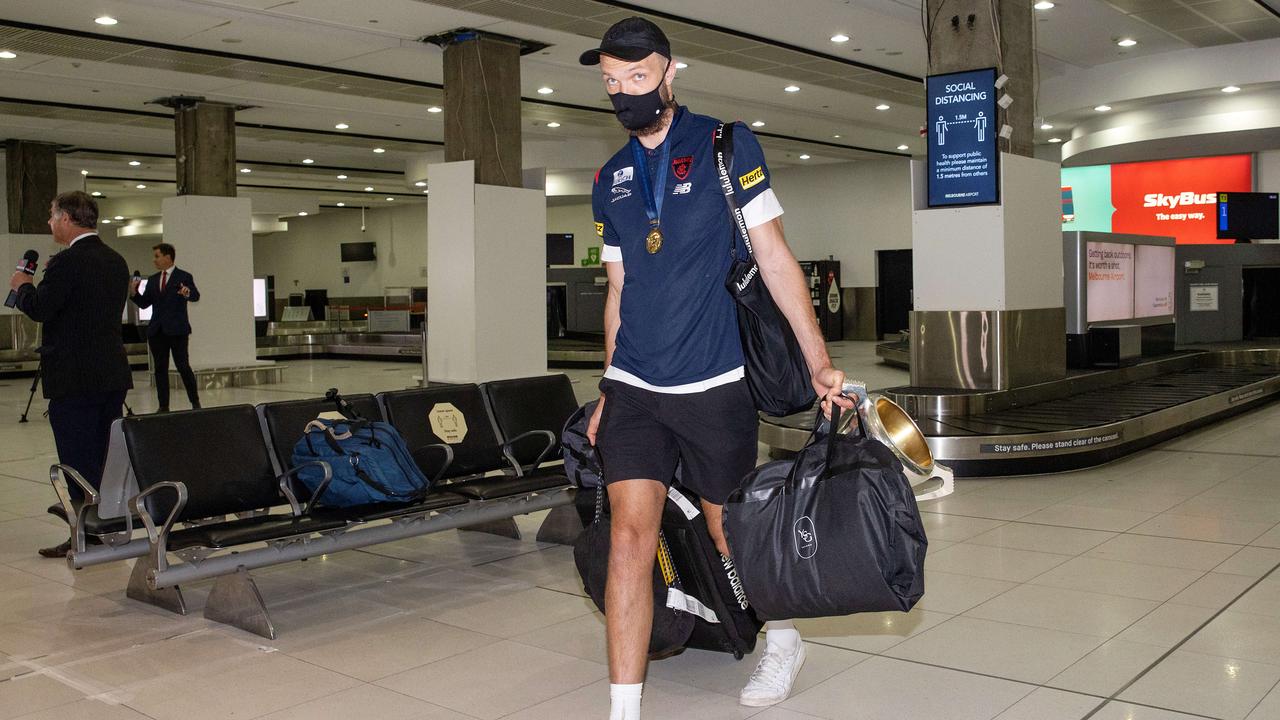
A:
x: 487, y: 279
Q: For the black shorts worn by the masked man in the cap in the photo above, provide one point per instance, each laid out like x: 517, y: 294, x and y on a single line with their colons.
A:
x: 712, y: 434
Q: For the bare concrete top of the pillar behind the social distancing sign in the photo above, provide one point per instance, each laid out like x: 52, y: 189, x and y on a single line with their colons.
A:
x: 959, y: 44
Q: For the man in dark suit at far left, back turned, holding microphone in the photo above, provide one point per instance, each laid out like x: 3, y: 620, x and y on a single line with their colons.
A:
x: 85, y: 372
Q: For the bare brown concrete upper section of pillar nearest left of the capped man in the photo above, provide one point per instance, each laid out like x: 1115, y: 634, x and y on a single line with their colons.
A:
x: 482, y: 107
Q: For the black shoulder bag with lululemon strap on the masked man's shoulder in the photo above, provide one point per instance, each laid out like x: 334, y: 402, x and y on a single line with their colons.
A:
x: 776, y: 371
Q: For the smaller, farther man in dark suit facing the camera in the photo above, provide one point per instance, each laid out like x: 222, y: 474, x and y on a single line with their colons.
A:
x: 168, y: 294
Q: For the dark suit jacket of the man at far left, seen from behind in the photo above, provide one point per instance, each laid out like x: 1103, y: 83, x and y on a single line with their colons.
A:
x: 80, y: 302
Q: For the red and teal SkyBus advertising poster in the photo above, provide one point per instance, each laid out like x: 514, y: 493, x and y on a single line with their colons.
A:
x: 1167, y: 198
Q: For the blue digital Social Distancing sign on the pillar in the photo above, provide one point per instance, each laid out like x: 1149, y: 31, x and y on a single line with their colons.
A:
x: 963, y: 158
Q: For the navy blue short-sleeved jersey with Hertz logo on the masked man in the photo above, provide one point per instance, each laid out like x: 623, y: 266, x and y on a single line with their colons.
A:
x: 679, y: 323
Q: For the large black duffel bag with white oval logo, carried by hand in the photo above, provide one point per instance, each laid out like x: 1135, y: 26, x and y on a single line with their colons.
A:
x: 834, y: 532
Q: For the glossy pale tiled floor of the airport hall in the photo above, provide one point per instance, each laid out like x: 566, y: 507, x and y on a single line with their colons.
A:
x: 1145, y: 590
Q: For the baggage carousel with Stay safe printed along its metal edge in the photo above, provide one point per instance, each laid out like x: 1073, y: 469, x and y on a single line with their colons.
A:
x: 1082, y: 421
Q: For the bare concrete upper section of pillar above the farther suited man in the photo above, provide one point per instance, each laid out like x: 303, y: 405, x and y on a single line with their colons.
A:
x: 205, y: 147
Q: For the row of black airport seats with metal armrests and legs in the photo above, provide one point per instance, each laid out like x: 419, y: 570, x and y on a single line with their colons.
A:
x: 216, y: 490
